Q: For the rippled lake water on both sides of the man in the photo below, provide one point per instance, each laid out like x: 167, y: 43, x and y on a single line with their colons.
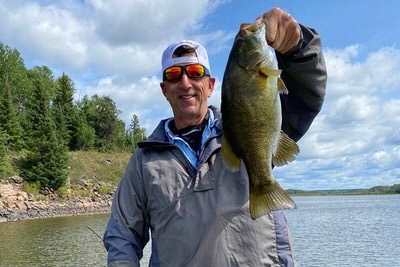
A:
x: 339, y: 231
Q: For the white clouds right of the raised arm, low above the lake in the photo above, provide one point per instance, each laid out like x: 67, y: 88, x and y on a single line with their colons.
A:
x: 355, y: 140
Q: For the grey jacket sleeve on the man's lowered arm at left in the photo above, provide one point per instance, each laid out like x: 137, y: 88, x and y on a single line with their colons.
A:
x: 127, y: 231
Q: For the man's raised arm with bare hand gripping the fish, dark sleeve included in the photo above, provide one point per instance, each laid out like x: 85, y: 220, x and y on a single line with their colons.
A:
x: 299, y: 55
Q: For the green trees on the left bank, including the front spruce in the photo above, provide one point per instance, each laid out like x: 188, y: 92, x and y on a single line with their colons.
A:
x: 40, y: 122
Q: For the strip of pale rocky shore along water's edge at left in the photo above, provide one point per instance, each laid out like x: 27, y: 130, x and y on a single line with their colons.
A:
x: 15, y: 204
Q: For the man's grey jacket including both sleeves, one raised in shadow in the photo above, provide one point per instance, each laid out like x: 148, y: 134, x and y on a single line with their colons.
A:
x: 199, y: 216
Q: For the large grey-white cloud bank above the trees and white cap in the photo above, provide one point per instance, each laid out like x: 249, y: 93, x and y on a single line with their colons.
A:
x: 105, y: 37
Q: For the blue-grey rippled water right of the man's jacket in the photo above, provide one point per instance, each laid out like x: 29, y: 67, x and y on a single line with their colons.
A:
x: 340, y: 231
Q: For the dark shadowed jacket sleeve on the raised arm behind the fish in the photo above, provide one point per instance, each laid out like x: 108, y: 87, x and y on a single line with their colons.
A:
x: 304, y: 73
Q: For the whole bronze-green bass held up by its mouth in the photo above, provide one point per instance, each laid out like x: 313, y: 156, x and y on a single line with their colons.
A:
x: 251, y: 118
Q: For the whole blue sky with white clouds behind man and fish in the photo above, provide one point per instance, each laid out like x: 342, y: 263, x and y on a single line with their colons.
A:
x: 113, y: 48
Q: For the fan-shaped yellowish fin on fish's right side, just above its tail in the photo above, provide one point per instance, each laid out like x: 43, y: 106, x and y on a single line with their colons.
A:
x: 286, y: 151
